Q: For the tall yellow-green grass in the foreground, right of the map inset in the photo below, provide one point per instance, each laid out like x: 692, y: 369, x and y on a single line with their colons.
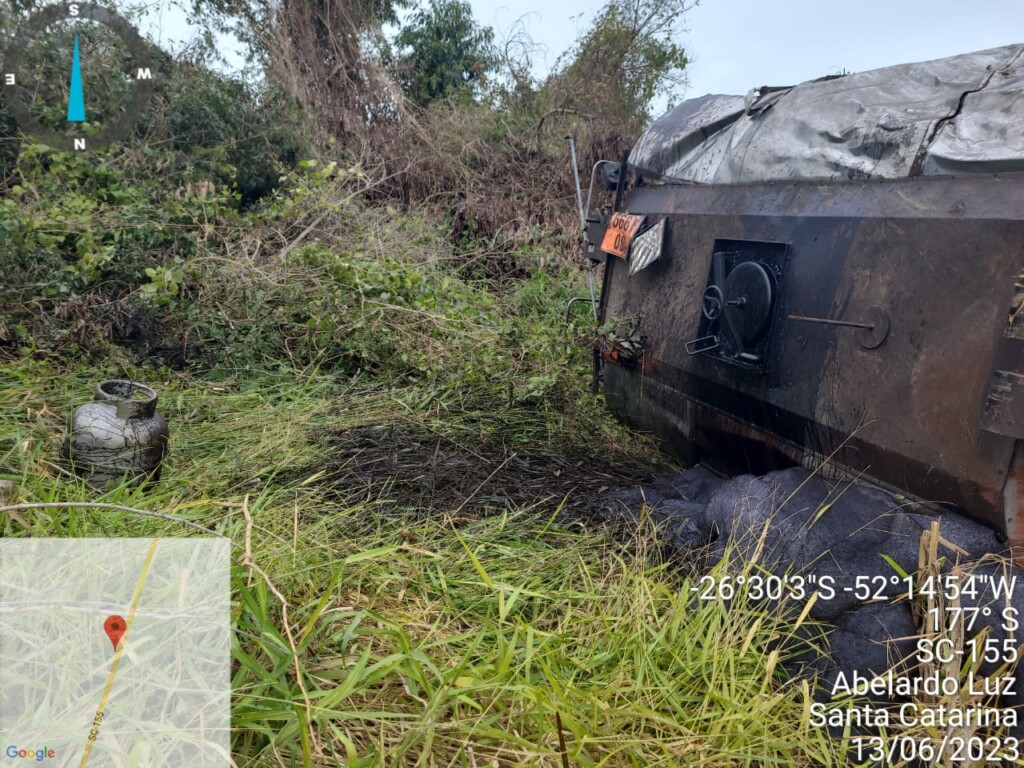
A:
x: 472, y: 647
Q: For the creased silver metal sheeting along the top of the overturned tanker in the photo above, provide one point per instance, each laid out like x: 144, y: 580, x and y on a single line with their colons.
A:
x: 951, y: 116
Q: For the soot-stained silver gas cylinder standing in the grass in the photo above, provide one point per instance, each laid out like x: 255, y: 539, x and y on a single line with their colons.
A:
x: 118, y: 435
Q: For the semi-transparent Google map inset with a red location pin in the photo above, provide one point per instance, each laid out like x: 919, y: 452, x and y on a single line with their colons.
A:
x: 115, y: 653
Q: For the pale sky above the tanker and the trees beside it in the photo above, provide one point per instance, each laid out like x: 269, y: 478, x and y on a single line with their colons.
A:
x: 736, y: 46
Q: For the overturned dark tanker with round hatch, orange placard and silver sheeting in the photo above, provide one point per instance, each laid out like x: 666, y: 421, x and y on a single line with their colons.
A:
x: 829, y: 275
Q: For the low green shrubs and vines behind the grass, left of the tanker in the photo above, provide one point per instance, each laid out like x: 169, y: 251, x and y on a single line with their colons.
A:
x: 125, y: 262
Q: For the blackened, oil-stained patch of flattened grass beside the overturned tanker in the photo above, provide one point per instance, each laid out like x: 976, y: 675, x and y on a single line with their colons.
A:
x: 413, y: 472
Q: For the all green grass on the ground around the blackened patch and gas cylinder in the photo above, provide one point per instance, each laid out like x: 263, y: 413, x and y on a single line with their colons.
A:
x: 421, y: 639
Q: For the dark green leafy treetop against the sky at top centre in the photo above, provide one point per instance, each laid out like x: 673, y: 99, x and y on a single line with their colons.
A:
x: 443, y: 53
